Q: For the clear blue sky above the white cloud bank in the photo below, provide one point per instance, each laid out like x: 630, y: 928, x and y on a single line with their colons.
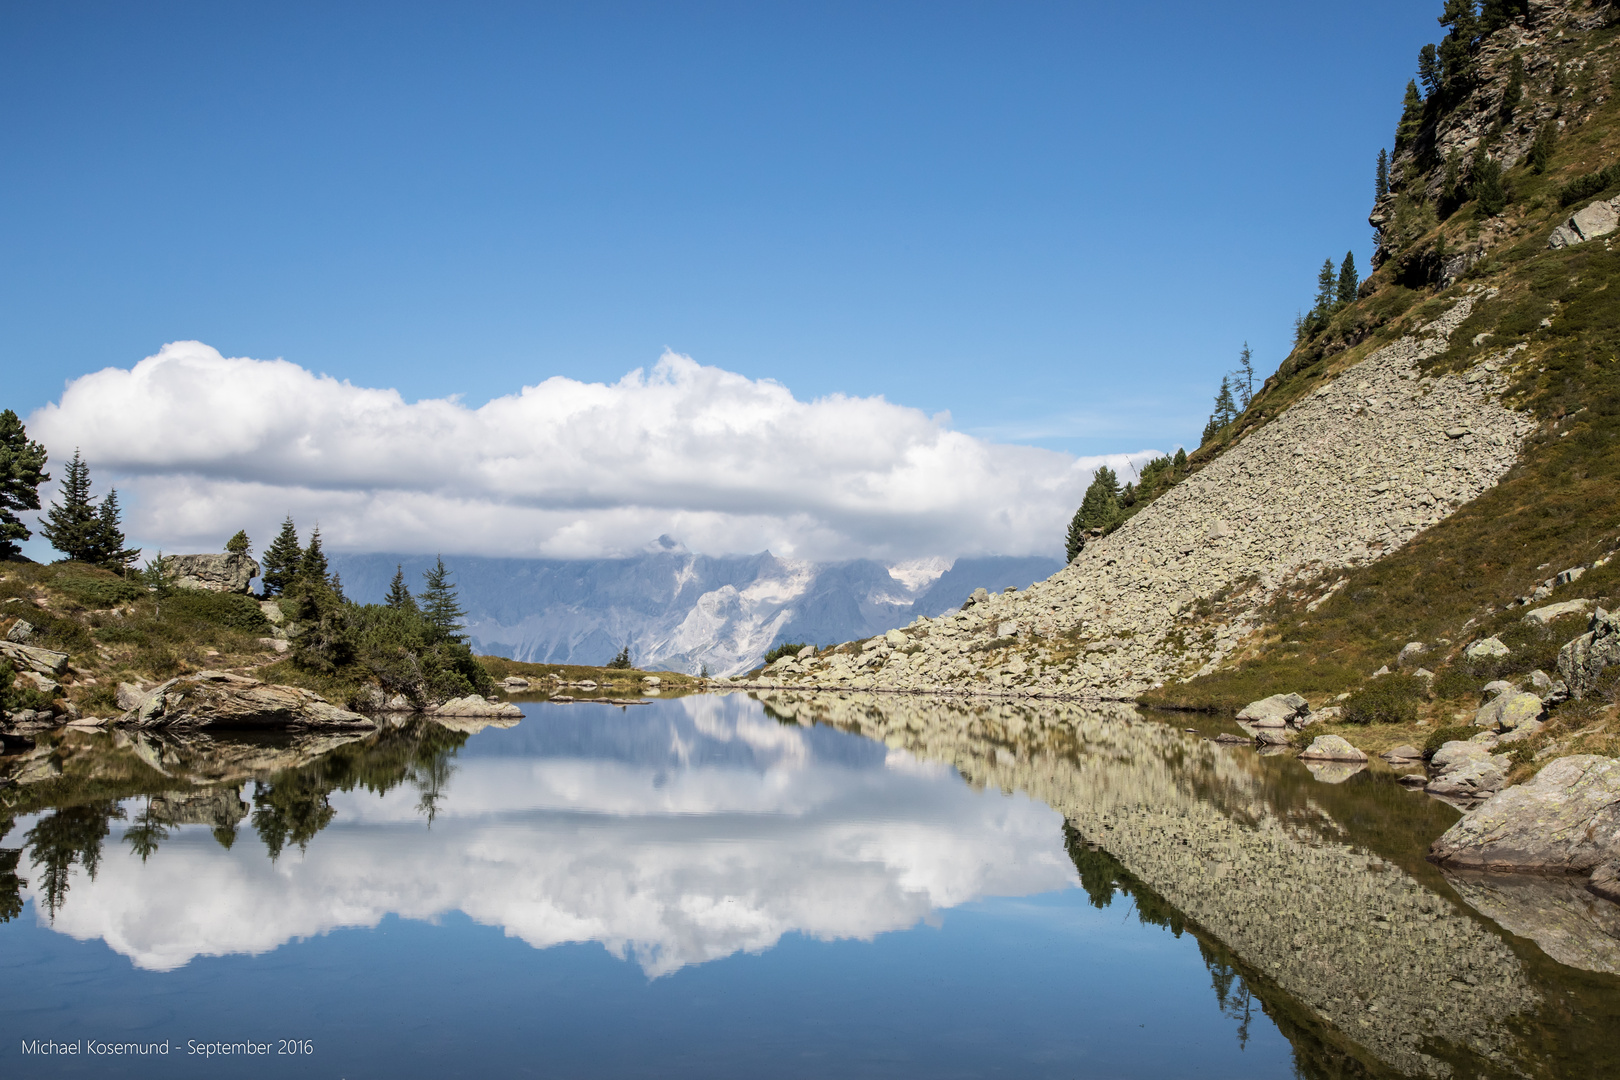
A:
x: 1057, y: 223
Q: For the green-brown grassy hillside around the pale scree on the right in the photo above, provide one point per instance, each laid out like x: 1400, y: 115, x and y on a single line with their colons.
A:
x: 1559, y: 508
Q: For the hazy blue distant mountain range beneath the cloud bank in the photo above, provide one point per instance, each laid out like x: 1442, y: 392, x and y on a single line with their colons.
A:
x: 681, y: 611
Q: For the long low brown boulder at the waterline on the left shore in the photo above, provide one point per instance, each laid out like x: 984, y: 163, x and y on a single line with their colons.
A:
x: 226, y: 700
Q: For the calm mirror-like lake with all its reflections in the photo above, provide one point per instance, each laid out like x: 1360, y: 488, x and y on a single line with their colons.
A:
x: 795, y: 887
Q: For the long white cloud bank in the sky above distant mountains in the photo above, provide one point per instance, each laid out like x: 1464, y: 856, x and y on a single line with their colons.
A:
x: 202, y: 444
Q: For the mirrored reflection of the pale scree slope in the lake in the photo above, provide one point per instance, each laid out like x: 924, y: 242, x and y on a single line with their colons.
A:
x: 1358, y: 942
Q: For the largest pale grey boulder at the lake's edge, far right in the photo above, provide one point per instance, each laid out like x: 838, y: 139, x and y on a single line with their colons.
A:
x: 1566, y: 822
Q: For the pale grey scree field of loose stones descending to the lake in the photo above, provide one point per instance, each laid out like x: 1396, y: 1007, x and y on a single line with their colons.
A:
x: 1344, y: 477
